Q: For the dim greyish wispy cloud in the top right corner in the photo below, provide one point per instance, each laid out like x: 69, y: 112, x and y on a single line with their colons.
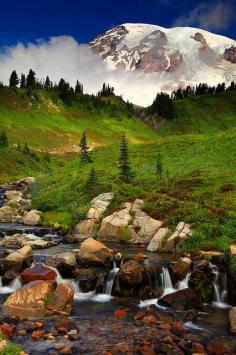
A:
x: 211, y: 16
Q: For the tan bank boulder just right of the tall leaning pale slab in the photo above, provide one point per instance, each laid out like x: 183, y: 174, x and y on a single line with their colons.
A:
x: 113, y: 226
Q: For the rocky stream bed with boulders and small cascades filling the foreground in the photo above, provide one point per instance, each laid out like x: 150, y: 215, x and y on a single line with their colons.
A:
x: 73, y: 294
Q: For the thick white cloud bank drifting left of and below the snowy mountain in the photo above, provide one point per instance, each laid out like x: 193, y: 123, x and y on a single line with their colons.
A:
x: 64, y: 57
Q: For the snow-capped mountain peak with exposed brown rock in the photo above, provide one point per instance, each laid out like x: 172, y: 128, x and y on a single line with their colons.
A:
x: 176, y: 56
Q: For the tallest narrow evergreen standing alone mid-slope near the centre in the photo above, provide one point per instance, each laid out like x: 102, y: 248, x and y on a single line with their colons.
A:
x: 124, y: 165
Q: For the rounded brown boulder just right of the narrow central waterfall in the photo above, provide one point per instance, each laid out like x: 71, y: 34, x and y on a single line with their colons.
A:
x: 131, y: 273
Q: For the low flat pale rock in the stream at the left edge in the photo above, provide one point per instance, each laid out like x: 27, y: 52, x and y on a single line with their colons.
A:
x: 20, y: 240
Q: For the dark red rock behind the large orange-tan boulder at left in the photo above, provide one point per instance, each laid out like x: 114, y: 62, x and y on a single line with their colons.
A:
x: 38, y: 272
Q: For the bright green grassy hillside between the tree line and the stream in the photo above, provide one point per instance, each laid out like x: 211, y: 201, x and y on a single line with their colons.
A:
x: 198, y: 182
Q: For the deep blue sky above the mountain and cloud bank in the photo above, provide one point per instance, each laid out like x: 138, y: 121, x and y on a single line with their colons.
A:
x: 28, y: 20
